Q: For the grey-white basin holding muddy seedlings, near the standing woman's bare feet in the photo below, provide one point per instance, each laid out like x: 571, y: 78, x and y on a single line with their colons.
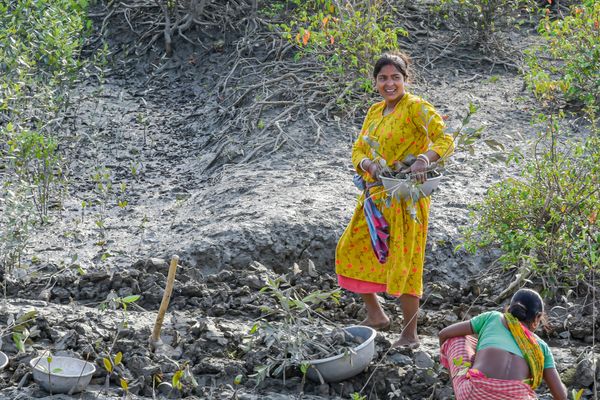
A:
x: 344, y: 366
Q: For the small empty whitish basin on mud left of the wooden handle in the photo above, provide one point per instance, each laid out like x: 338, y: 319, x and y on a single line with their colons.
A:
x: 64, y: 374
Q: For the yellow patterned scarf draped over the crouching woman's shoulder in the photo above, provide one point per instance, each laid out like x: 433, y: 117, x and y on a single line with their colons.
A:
x: 528, y: 344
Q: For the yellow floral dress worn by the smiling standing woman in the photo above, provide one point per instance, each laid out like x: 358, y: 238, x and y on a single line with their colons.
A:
x: 412, y: 128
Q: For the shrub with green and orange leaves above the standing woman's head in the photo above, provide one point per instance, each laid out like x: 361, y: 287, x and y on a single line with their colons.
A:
x: 345, y: 40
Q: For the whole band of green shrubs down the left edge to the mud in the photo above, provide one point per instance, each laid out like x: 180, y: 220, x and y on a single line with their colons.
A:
x: 40, y: 43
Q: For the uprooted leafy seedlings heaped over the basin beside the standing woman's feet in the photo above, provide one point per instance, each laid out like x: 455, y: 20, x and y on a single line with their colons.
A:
x: 292, y: 331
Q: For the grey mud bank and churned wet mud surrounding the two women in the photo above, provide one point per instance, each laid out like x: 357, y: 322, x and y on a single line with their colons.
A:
x: 145, y: 128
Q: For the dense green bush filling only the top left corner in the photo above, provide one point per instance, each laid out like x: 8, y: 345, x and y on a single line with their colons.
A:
x: 41, y: 42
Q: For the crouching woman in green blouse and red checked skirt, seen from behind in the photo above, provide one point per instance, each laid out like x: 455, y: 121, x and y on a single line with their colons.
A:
x: 505, y: 360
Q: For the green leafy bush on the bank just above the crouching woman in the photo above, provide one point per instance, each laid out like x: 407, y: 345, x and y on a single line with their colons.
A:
x: 546, y: 220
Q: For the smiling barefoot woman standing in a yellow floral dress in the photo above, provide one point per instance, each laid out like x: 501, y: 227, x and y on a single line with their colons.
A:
x: 402, y: 124
